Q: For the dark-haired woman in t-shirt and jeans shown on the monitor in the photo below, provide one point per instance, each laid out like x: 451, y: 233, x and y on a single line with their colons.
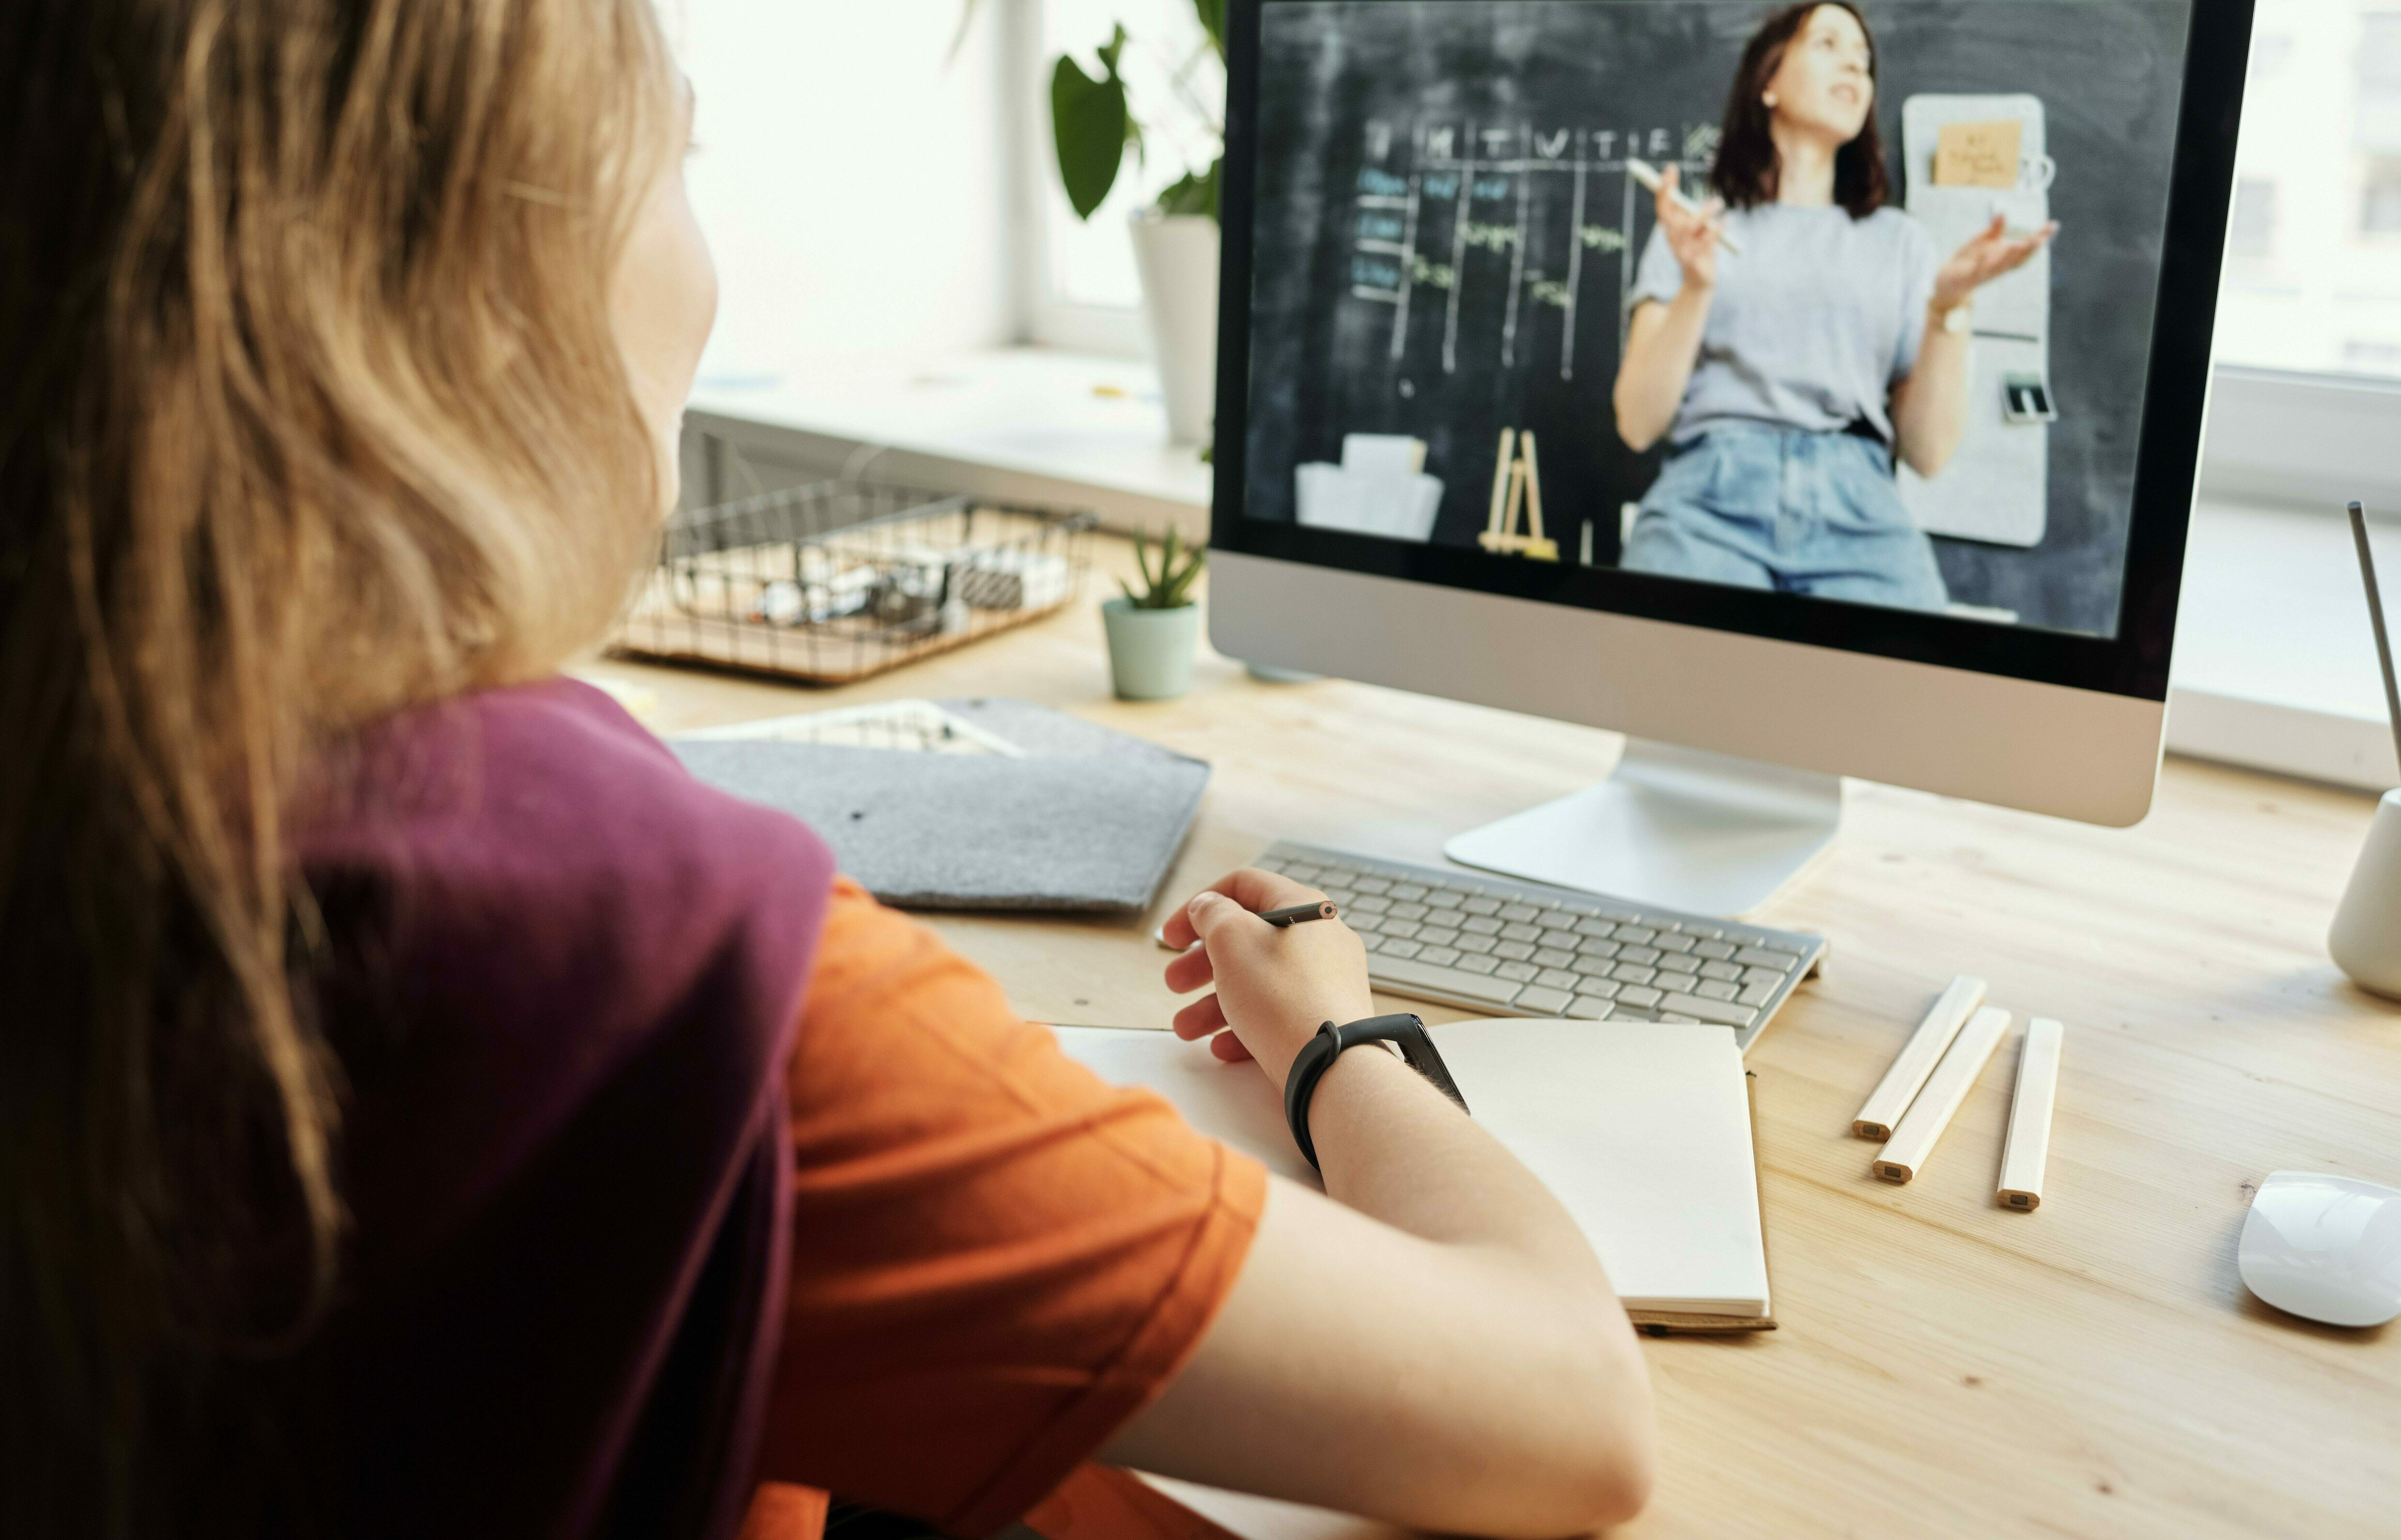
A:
x: 1790, y: 374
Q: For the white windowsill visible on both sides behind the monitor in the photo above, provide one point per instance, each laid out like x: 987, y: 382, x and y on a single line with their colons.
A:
x: 2275, y: 664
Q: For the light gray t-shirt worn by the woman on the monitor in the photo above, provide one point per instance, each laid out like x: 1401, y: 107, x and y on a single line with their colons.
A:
x: 1812, y: 326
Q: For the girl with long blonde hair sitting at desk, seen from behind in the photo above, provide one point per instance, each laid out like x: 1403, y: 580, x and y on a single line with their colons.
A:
x: 424, y: 1109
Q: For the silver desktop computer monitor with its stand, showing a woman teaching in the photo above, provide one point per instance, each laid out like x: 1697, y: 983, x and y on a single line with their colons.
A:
x: 1802, y: 390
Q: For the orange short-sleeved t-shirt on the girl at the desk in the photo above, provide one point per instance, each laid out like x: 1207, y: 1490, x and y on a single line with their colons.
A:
x: 998, y: 1258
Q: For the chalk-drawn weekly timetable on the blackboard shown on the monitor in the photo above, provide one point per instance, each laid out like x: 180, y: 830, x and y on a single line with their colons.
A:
x: 1444, y: 205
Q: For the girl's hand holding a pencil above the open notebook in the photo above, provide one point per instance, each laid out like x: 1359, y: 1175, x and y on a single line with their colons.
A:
x: 1274, y: 986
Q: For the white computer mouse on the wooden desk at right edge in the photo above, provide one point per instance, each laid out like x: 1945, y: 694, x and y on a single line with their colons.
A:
x: 2325, y: 1248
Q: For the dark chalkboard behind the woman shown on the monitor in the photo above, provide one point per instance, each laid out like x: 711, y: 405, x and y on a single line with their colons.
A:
x: 1447, y: 232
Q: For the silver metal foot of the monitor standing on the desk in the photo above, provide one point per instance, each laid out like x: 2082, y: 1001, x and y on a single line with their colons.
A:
x: 1701, y: 832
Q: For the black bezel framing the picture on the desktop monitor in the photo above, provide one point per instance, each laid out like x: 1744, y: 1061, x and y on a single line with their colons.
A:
x: 2133, y: 662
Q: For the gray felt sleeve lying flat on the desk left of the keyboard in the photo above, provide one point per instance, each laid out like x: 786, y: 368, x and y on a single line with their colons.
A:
x: 1089, y: 820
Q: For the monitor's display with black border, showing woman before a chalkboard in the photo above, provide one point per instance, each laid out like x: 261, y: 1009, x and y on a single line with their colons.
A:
x: 1840, y: 323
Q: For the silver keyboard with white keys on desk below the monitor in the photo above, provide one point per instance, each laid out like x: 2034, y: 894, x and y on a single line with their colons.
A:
x: 1526, y: 950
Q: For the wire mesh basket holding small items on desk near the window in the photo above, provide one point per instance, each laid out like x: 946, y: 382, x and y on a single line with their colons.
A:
x: 839, y: 580
